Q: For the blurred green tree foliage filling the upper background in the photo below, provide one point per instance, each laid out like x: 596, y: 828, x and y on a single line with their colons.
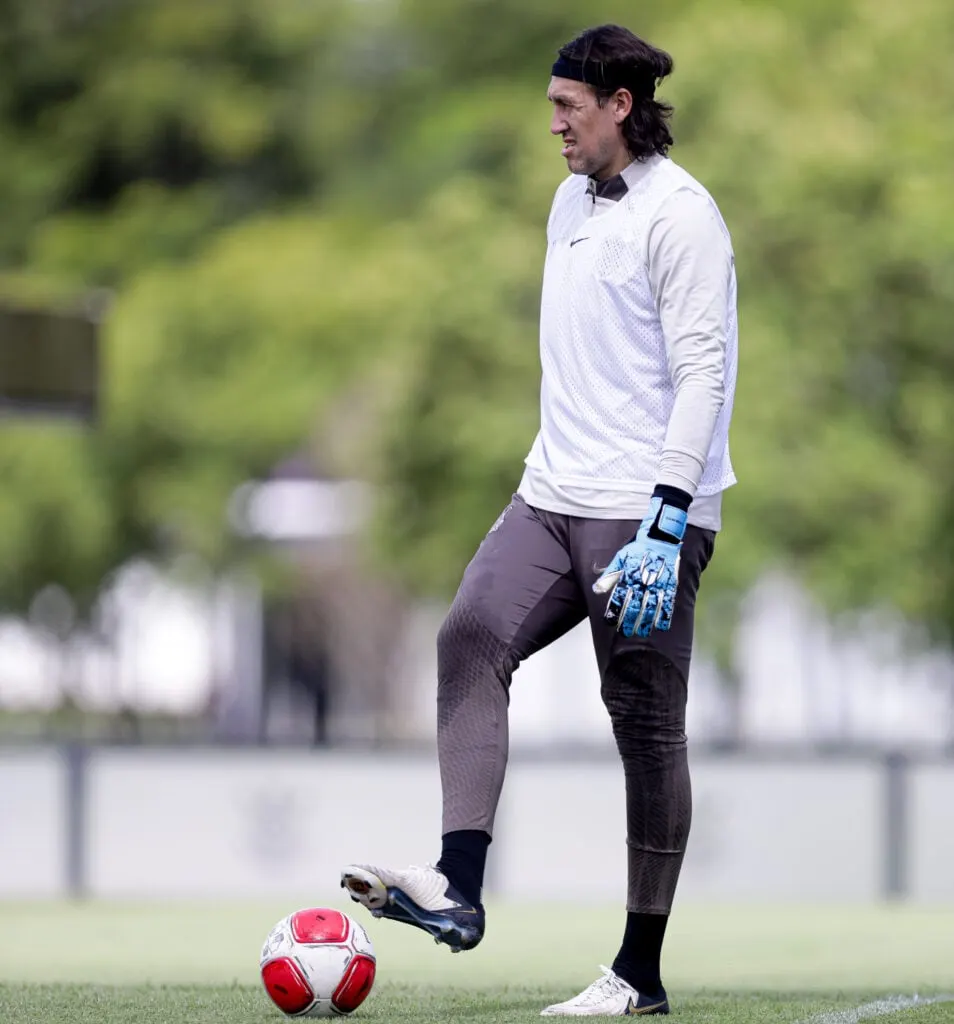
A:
x: 324, y: 225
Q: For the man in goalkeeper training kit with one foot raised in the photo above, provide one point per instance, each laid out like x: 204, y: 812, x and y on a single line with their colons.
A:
x: 616, y: 516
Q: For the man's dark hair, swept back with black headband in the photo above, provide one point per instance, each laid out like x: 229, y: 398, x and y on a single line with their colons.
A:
x: 626, y: 62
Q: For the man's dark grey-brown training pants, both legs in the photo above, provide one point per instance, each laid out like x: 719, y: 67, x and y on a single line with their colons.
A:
x: 530, y: 583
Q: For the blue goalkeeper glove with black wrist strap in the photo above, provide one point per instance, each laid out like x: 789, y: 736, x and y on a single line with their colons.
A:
x: 642, y: 580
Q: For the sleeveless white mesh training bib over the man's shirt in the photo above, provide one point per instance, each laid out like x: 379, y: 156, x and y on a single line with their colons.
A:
x: 606, y: 394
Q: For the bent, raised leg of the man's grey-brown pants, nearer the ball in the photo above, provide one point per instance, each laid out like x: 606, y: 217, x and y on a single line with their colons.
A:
x: 517, y: 595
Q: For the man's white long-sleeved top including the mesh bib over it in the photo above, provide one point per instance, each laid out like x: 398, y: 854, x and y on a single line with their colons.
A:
x: 638, y: 347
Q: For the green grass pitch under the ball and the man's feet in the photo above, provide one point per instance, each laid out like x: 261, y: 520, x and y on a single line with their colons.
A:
x: 197, y: 964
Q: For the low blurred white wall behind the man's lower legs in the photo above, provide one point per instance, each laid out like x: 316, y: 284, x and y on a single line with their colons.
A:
x: 218, y: 824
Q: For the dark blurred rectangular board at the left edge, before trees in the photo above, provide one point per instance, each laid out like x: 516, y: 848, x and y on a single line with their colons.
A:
x: 50, y: 363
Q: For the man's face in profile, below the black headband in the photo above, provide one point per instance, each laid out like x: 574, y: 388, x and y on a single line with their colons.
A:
x: 592, y: 139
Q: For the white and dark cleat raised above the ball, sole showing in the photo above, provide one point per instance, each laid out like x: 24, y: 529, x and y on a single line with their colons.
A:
x: 419, y: 897
